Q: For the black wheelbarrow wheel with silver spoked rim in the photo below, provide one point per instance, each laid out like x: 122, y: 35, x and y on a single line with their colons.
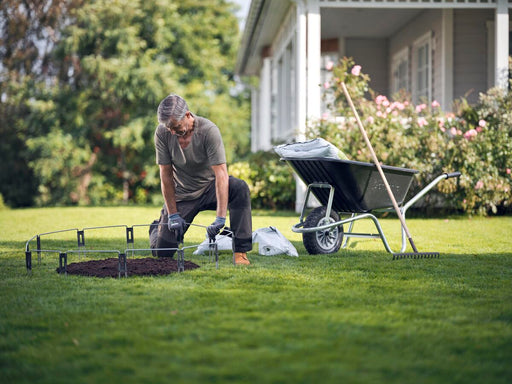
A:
x: 325, y: 241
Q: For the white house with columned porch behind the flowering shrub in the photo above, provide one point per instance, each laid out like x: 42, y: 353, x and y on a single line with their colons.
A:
x: 436, y: 49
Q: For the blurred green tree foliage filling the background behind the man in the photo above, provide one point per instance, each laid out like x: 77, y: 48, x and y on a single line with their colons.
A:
x: 85, y: 102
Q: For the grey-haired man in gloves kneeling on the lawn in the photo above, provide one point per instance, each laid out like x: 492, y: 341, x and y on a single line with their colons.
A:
x: 194, y: 178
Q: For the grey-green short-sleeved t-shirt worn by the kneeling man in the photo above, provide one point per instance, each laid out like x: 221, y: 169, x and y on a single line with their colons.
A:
x: 192, y: 165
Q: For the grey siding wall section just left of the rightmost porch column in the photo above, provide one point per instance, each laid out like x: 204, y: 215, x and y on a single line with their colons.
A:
x: 470, y: 52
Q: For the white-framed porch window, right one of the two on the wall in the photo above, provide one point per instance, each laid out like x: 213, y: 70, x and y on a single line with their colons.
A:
x: 422, y: 71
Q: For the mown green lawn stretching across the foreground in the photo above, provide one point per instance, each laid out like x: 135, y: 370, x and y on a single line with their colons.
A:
x: 353, y: 317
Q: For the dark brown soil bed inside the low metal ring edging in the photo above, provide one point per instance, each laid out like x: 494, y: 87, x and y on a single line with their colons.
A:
x: 148, y: 266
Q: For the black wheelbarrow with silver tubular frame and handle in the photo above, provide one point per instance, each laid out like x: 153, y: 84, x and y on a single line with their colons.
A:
x: 350, y: 188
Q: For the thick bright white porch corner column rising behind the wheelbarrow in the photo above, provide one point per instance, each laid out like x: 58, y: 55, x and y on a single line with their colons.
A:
x: 313, y: 60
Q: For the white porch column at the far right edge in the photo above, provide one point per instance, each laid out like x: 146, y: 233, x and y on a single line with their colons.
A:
x: 501, y: 44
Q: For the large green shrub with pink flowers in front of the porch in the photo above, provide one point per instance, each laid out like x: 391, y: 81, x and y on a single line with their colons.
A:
x: 477, y: 141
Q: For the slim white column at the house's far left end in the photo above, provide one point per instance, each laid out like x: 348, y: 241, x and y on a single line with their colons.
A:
x: 265, y: 112
